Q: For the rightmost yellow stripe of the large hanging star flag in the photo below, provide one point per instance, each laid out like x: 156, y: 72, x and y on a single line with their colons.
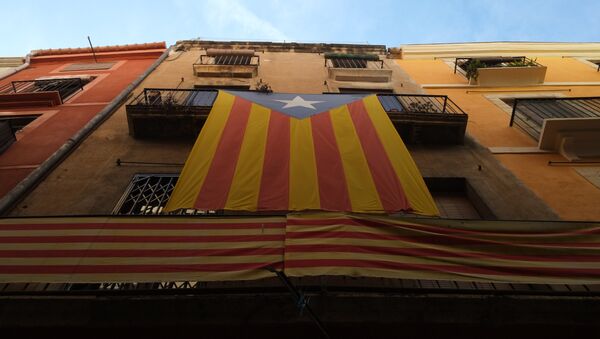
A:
x: 411, y: 180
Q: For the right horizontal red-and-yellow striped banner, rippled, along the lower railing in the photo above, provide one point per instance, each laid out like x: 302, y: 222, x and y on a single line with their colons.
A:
x: 490, y: 251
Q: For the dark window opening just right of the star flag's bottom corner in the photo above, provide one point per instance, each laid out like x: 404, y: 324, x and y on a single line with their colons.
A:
x: 456, y: 199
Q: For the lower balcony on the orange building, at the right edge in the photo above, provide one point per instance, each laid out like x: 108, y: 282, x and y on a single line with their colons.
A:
x: 570, y: 126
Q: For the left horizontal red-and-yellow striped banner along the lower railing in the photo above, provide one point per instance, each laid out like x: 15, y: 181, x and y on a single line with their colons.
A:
x: 116, y: 249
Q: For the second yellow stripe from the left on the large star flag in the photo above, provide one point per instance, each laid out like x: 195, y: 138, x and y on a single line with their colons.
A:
x: 245, y: 186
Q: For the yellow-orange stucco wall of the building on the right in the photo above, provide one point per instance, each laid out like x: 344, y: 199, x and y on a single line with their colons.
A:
x: 561, y: 187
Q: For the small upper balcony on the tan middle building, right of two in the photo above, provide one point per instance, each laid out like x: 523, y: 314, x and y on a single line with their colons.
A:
x: 357, y: 68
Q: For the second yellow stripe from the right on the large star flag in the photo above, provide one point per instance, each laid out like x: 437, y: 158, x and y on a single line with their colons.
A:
x: 361, y: 188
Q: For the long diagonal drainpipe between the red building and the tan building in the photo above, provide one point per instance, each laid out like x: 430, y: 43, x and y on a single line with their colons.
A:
x: 36, y: 176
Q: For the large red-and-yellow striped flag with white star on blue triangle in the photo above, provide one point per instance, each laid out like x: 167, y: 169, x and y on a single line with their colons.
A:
x: 295, y: 152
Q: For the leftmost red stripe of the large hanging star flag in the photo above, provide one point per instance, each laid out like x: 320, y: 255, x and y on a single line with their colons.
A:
x: 214, y: 191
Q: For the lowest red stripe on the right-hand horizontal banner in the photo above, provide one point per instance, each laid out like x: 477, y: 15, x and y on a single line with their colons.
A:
x: 475, y: 270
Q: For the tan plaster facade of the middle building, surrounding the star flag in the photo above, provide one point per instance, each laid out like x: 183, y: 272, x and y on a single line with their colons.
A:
x: 150, y: 136
